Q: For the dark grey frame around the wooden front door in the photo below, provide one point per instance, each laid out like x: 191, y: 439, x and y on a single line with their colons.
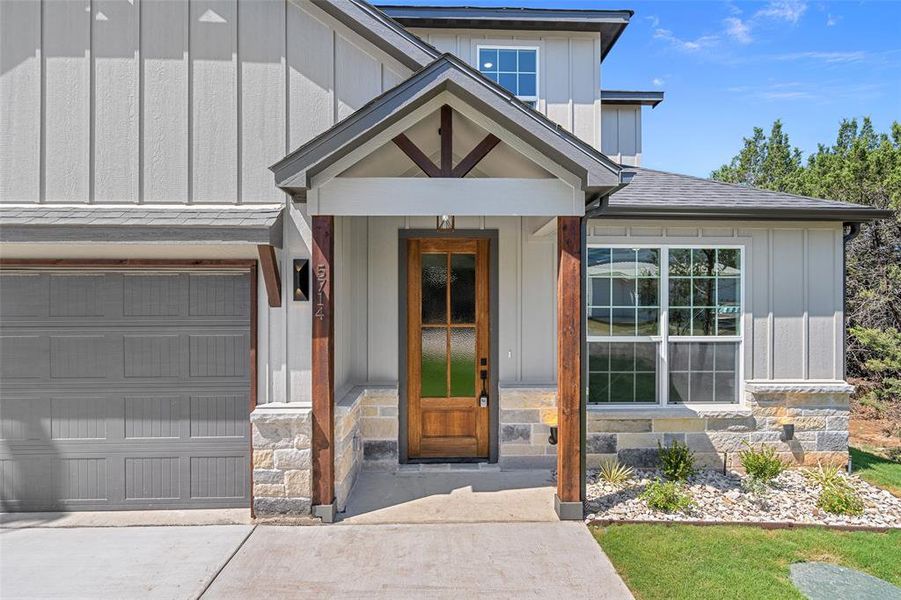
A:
x: 493, y: 343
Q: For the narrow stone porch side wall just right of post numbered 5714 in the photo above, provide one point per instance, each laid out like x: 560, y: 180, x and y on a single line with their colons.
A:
x: 348, y: 445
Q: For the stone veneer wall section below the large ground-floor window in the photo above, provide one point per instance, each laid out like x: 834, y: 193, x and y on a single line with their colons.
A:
x: 818, y: 412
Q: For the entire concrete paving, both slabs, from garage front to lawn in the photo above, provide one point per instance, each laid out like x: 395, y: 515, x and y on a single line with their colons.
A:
x: 448, y: 560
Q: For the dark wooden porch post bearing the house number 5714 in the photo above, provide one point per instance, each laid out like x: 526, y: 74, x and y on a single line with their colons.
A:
x: 323, y: 369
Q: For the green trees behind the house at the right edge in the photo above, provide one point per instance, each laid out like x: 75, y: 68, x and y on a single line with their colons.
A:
x: 864, y: 167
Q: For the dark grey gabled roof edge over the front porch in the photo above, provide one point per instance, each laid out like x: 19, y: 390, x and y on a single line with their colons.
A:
x: 596, y: 173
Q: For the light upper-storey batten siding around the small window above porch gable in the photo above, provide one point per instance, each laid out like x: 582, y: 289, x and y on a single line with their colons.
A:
x: 569, y: 71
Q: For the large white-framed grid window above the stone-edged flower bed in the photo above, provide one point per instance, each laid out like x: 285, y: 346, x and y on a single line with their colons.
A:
x: 664, y: 324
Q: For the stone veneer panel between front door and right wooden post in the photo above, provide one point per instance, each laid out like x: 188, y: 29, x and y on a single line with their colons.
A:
x: 525, y: 417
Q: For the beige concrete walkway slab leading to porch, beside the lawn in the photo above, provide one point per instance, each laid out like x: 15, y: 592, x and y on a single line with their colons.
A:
x: 465, y: 560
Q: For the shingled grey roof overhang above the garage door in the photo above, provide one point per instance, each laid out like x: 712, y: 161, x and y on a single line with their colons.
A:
x: 140, y: 224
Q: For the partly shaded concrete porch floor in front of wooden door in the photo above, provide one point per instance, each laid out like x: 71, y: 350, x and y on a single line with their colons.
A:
x: 451, y: 497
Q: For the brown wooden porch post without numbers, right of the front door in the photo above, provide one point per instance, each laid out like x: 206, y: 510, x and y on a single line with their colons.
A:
x: 568, y: 501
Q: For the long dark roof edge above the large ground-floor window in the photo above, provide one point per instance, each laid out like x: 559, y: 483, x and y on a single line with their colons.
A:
x: 762, y: 213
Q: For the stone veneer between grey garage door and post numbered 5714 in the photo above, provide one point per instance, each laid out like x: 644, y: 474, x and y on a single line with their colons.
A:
x: 281, y: 460
